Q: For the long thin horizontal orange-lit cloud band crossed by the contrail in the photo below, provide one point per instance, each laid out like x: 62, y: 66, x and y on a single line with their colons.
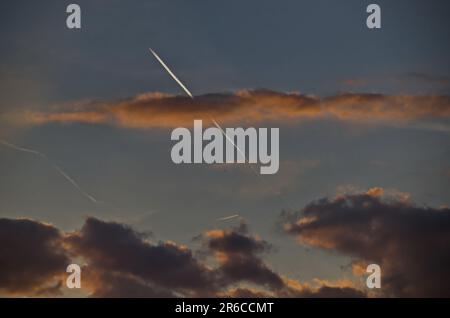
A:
x: 157, y: 110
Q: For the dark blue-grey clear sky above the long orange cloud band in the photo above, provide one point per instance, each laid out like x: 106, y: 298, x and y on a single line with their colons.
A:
x: 307, y: 46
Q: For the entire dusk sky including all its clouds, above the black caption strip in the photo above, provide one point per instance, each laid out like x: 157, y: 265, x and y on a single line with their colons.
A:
x: 85, y: 122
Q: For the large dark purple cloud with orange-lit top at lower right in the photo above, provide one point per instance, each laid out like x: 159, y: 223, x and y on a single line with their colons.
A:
x: 410, y: 243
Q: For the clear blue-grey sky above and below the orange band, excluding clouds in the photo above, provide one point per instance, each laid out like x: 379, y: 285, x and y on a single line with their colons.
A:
x: 314, y: 47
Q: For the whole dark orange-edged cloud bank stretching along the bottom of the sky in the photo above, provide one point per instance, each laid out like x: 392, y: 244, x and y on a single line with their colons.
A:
x: 411, y: 244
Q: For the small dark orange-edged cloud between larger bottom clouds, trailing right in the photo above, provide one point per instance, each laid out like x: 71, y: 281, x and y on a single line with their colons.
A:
x: 239, y: 256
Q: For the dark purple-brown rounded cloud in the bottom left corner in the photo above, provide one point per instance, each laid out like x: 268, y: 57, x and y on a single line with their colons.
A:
x: 32, y: 258
